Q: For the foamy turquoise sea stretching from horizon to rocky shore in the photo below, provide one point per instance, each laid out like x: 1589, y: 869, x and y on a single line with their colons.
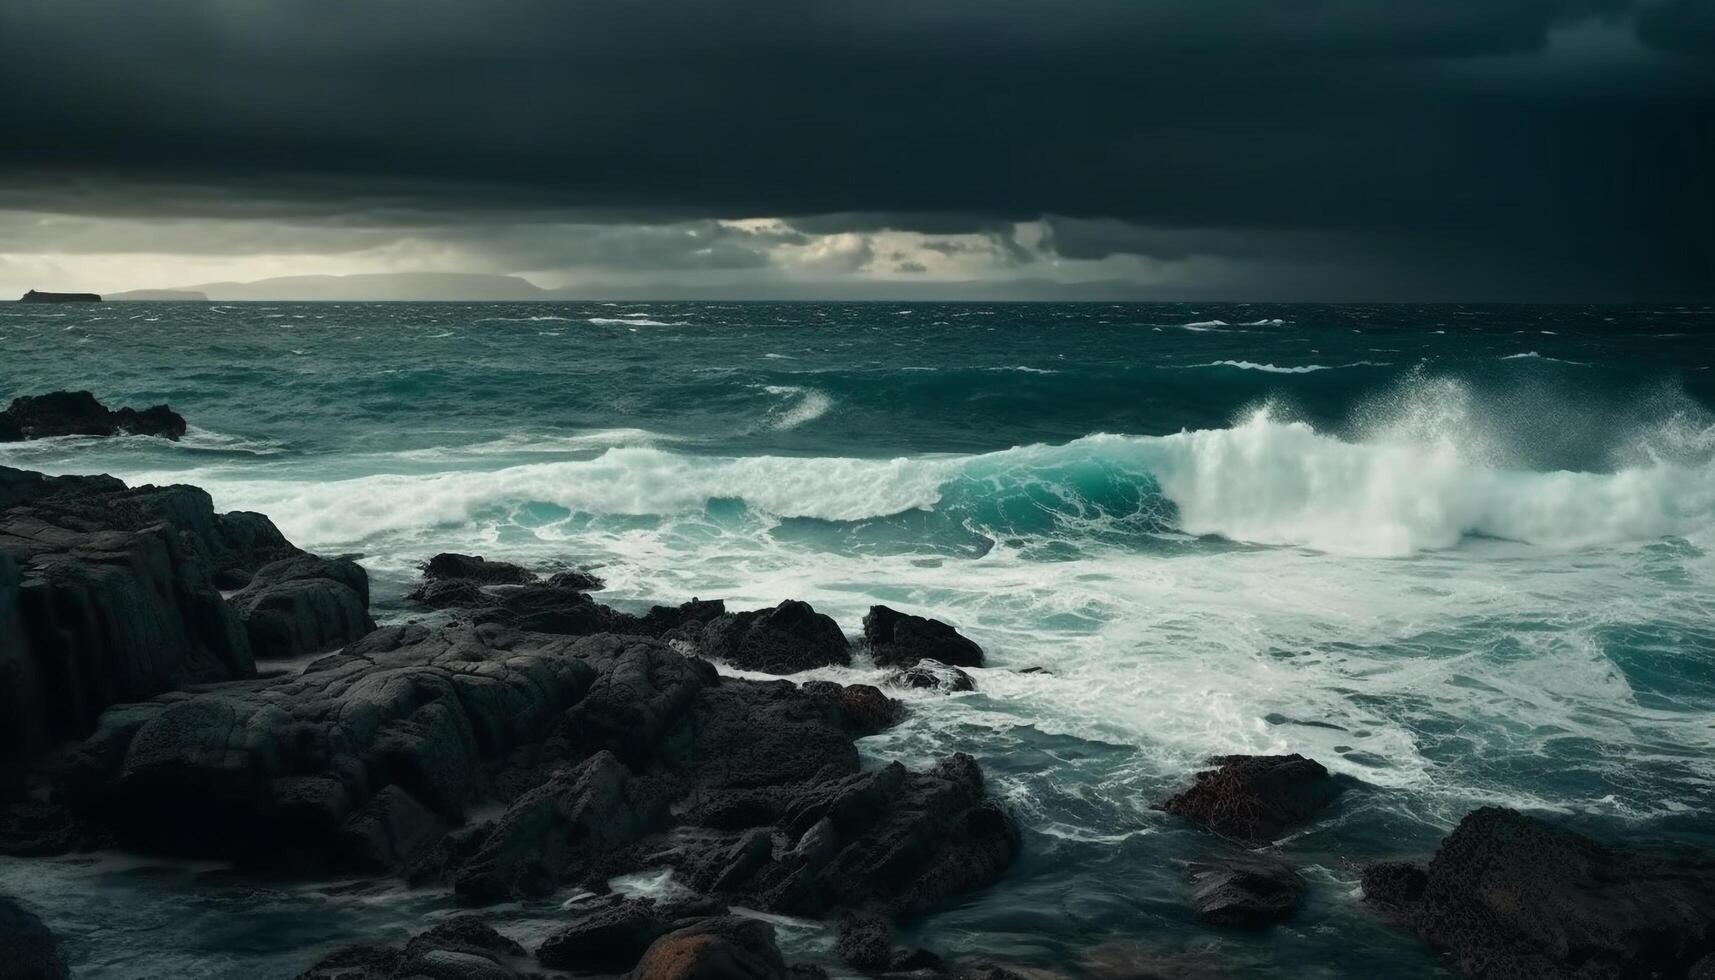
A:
x: 1457, y: 554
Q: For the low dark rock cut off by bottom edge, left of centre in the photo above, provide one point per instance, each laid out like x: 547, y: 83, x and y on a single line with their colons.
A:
x: 462, y: 948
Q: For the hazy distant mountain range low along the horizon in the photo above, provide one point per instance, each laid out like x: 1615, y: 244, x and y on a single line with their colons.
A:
x: 454, y: 287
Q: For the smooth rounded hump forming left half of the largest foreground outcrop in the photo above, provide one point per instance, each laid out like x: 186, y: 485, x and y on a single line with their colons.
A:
x: 274, y: 770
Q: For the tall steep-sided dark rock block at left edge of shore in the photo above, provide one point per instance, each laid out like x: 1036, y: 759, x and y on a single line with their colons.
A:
x: 109, y: 595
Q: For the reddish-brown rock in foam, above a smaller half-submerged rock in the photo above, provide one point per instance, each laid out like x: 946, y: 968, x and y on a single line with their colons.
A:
x: 1255, y: 797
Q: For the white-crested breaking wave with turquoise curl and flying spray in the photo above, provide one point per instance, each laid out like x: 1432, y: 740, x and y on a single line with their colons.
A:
x: 1263, y: 481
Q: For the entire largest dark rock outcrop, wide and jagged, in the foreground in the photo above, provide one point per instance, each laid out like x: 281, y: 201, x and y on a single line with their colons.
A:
x: 610, y: 754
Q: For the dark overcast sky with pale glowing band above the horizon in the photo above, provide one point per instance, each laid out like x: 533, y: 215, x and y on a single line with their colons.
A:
x: 1368, y: 150
